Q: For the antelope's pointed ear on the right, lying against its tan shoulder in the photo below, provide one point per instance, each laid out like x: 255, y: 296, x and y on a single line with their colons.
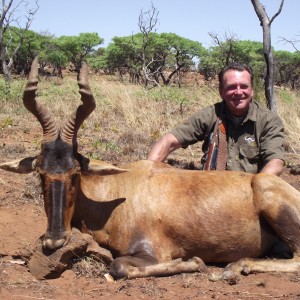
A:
x: 97, y: 167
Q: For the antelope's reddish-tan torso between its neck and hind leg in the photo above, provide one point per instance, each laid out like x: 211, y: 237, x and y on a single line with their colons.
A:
x: 192, y: 213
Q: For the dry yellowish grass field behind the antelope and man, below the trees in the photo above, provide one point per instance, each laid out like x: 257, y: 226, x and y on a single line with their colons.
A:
x: 128, y: 119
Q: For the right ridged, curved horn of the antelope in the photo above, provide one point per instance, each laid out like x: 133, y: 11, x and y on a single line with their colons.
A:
x: 72, y: 125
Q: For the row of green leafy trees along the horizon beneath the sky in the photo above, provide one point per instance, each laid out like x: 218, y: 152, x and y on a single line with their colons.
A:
x: 161, y: 55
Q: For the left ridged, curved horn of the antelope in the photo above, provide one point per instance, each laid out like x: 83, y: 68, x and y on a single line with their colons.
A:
x: 50, y: 129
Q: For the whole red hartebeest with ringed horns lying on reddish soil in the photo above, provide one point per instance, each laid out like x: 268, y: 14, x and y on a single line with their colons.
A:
x: 156, y: 219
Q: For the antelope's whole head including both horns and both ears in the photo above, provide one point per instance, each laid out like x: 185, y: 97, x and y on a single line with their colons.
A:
x: 59, y: 164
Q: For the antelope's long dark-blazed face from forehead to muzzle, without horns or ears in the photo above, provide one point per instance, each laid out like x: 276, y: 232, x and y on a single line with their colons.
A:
x: 60, y: 175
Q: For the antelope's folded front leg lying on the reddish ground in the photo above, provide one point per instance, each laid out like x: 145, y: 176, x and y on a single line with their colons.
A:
x: 135, y: 267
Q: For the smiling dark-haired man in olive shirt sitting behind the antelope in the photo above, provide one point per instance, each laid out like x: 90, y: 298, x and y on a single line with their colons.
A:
x: 253, y: 135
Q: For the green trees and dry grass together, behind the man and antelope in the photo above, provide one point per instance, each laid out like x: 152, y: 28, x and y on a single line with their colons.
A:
x: 144, y: 84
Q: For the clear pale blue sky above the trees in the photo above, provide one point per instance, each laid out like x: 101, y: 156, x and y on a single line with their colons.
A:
x: 191, y: 19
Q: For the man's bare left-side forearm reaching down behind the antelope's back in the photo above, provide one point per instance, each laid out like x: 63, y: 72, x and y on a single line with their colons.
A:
x: 163, y: 147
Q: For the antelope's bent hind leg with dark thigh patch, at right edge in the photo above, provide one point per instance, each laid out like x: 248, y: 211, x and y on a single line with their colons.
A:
x: 279, y: 204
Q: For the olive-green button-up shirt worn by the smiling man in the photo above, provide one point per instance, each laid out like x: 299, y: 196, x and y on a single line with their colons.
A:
x: 250, y: 145
